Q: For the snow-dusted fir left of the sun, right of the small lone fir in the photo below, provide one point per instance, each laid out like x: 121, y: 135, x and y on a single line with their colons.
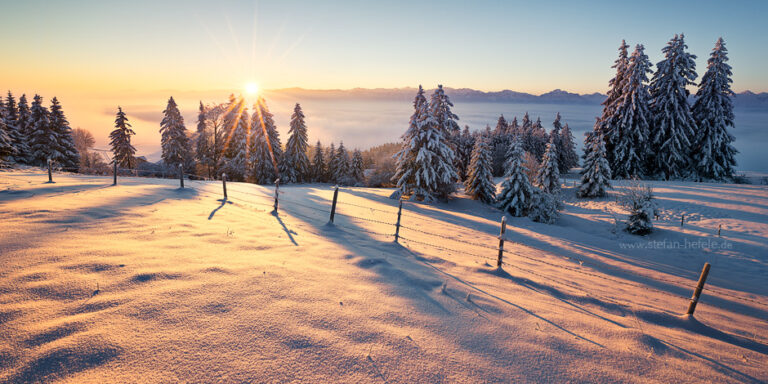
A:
x: 174, y: 140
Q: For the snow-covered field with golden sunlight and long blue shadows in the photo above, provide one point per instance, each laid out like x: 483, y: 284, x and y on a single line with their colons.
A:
x: 144, y: 282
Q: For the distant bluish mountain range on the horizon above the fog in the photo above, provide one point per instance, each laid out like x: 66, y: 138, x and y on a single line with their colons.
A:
x: 745, y: 99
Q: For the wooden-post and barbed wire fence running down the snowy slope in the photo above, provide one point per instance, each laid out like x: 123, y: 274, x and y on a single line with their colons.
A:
x: 493, y: 247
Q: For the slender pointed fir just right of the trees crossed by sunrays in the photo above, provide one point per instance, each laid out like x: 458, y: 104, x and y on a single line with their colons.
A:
x: 297, y: 168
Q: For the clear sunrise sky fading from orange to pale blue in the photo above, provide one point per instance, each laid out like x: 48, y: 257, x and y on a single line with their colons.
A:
x: 95, y: 55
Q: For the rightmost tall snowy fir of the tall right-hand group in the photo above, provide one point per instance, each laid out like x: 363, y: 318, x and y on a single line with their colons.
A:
x: 714, y: 155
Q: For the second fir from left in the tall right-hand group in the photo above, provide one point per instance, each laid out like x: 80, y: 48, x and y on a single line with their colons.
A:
x: 632, y: 119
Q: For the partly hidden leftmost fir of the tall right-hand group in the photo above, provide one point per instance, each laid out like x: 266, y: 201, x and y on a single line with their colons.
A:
x: 608, y: 118
